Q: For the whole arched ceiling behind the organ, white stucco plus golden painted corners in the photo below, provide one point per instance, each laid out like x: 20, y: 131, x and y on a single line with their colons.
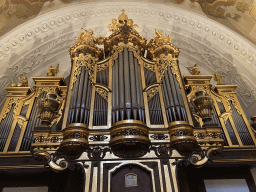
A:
x: 42, y: 38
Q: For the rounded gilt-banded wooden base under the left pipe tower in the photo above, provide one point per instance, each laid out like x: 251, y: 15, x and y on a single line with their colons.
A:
x: 75, y: 140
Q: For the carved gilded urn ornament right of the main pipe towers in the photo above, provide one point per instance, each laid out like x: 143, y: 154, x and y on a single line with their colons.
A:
x: 203, y: 106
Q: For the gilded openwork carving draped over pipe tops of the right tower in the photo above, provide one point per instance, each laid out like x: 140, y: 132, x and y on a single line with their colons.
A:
x: 168, y: 60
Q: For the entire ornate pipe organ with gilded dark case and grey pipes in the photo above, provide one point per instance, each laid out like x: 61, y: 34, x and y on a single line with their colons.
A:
x: 126, y: 111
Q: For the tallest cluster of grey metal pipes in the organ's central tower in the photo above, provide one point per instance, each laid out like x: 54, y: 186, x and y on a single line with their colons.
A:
x: 127, y: 94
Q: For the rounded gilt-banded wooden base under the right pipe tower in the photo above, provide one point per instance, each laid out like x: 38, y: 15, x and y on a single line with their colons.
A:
x: 181, y: 137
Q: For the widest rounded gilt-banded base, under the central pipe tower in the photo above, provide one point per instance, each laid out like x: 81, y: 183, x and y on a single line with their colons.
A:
x: 129, y: 138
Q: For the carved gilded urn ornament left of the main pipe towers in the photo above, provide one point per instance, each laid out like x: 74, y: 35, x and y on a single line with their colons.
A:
x: 48, y: 109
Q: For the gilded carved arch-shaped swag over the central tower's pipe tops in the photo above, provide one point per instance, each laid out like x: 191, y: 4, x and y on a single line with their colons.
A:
x: 120, y: 47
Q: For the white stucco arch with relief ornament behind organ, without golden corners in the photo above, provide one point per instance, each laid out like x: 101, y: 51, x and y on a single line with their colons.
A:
x: 31, y: 47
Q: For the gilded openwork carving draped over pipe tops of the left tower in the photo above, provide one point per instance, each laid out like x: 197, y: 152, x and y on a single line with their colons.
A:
x: 83, y: 60
